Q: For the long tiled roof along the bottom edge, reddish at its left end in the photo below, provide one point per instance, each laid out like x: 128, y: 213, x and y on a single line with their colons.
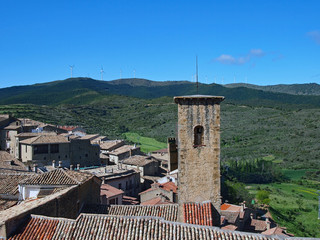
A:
x: 89, y: 226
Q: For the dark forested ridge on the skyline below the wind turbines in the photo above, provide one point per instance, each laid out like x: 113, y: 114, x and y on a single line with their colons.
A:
x: 86, y: 90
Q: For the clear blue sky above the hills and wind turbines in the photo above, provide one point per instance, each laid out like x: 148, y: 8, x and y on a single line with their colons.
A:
x: 259, y: 42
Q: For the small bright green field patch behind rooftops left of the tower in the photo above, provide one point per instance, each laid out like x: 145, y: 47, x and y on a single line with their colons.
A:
x: 146, y: 144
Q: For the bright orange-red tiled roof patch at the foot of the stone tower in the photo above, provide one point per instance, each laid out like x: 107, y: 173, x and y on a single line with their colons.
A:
x: 198, y: 213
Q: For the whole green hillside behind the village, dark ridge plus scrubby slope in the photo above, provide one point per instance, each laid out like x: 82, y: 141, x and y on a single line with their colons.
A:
x: 254, y: 123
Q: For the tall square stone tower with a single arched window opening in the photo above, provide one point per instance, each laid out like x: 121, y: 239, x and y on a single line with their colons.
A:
x: 199, y: 150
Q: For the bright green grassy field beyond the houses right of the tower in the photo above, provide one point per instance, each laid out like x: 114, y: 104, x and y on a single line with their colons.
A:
x: 294, y: 205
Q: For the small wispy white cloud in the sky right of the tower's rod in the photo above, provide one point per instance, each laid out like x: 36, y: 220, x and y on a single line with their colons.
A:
x: 229, y: 59
